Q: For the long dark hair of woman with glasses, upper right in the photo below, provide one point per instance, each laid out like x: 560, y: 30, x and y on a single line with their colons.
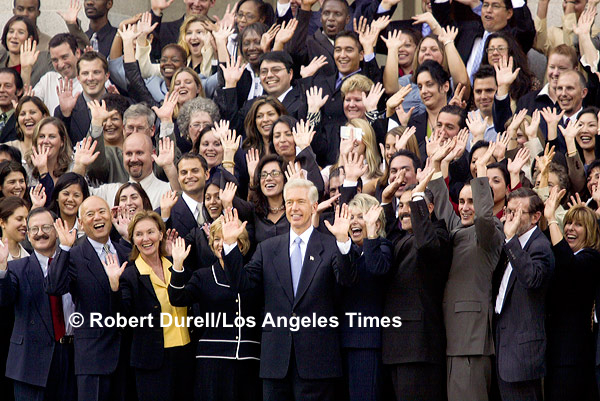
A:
x: 525, y: 79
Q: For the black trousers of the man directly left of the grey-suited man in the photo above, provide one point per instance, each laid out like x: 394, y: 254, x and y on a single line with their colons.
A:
x: 419, y: 381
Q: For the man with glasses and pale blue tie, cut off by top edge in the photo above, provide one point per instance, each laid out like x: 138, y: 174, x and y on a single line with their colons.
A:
x: 511, y: 16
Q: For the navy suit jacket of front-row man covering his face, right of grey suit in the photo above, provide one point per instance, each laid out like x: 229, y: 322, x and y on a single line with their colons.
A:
x: 520, y: 332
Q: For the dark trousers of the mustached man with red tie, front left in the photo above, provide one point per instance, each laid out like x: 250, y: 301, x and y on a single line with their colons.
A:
x: 61, y: 379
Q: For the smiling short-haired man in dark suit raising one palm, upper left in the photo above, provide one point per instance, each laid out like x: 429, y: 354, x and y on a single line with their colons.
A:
x: 92, y: 74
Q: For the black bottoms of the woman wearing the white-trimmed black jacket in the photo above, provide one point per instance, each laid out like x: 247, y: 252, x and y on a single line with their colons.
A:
x: 227, y: 380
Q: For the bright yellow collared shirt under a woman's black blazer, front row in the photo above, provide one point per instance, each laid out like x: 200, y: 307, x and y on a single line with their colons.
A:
x: 174, y: 336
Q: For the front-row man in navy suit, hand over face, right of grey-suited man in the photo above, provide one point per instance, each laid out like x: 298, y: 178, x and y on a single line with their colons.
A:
x: 522, y: 279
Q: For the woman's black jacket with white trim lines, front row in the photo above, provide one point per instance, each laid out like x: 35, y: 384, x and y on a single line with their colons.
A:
x: 209, y: 290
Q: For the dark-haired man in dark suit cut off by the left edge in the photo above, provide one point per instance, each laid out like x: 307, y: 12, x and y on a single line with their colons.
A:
x: 11, y: 89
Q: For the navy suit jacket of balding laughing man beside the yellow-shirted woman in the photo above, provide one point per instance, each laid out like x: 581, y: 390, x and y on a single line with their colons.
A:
x: 82, y: 274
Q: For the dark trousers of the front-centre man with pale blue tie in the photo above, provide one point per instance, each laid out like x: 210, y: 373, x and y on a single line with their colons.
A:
x: 294, y: 388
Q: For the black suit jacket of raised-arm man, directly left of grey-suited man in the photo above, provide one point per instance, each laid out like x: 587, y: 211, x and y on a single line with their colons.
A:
x: 415, y: 290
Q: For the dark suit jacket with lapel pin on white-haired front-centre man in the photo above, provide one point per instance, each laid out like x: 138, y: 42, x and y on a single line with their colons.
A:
x: 323, y: 268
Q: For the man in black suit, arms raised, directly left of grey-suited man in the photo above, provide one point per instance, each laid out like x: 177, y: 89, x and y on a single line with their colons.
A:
x: 415, y: 352
